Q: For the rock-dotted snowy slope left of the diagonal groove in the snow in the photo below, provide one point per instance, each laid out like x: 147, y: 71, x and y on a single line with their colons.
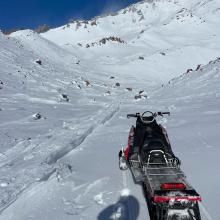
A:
x: 44, y: 96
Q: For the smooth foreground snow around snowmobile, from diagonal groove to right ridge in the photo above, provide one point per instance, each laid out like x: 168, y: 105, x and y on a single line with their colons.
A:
x: 87, y: 184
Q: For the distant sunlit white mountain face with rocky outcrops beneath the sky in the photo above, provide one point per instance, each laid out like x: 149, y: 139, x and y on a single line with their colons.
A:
x: 152, y: 34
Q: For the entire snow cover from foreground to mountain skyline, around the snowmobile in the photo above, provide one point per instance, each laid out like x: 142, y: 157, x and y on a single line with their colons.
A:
x: 64, y: 96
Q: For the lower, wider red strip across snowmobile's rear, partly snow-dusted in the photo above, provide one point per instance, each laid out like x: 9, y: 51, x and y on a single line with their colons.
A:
x: 161, y: 199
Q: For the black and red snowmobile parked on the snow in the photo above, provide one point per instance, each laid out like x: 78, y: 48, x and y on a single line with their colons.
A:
x: 153, y: 164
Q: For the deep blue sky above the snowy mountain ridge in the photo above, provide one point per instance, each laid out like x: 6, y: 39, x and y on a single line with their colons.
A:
x: 32, y: 13
